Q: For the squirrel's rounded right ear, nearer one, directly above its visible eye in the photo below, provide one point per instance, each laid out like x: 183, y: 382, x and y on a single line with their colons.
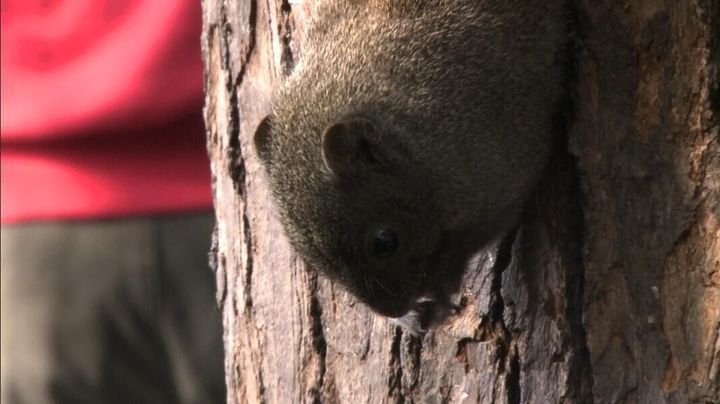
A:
x: 349, y: 145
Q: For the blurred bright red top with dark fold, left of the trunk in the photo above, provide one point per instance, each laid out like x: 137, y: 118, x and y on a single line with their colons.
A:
x: 101, y: 109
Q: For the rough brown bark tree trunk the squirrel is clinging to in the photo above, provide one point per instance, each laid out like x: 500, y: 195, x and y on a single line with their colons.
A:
x: 610, y: 290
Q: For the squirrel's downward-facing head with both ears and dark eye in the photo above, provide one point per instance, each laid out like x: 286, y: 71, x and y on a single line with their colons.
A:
x: 354, y: 205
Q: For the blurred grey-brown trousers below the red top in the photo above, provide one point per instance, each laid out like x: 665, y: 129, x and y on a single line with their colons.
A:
x: 119, y: 311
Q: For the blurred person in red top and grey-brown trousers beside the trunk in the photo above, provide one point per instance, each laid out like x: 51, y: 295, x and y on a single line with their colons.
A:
x: 106, y: 205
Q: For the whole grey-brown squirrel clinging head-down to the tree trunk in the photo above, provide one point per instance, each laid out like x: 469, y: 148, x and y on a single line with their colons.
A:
x: 411, y: 136
